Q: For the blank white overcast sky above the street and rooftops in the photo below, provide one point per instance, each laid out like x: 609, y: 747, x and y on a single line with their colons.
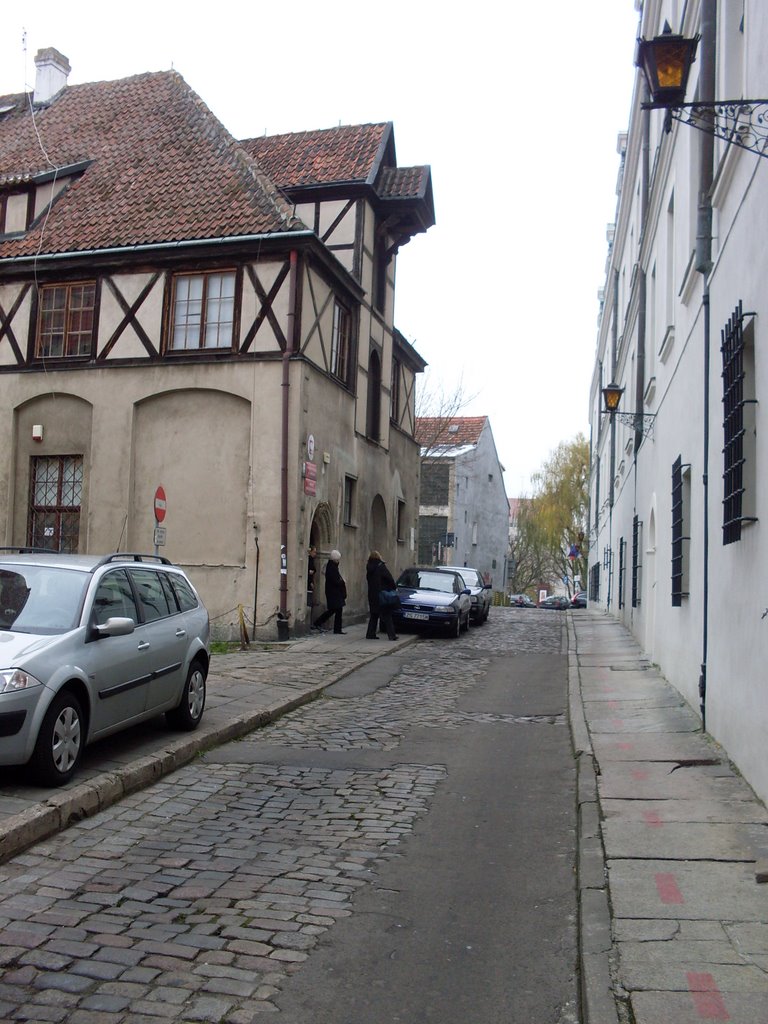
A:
x: 517, y: 108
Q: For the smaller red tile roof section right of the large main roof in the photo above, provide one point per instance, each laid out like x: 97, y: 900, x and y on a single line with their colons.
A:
x: 349, y: 154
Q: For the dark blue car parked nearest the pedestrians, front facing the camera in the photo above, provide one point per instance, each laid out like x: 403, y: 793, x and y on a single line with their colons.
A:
x: 433, y: 599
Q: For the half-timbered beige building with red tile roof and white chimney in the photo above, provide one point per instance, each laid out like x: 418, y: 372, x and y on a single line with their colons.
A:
x: 185, y: 311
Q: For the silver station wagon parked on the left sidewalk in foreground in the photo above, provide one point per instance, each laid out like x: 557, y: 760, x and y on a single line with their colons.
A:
x: 91, y: 646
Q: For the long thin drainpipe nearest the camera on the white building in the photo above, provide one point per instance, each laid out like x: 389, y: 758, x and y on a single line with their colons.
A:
x: 704, y: 267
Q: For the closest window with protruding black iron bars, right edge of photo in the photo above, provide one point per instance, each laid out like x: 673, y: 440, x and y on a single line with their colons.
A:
x: 739, y: 429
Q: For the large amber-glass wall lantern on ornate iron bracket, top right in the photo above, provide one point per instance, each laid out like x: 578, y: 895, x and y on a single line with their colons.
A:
x: 666, y: 62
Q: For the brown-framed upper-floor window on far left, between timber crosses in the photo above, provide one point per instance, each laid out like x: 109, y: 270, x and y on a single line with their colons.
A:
x: 67, y: 321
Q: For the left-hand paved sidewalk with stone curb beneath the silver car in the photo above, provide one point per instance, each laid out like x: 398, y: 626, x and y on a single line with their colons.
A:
x: 245, y: 692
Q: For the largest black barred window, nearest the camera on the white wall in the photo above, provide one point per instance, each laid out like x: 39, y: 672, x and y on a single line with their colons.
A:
x: 733, y: 350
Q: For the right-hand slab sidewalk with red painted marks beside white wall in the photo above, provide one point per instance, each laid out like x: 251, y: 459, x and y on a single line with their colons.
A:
x: 673, y: 847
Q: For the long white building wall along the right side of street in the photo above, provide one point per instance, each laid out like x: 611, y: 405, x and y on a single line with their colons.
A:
x: 629, y: 481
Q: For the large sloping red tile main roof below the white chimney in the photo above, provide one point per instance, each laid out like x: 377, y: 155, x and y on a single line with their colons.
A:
x: 163, y: 168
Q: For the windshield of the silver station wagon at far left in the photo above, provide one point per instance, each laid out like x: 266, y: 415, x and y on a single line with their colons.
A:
x: 41, y: 600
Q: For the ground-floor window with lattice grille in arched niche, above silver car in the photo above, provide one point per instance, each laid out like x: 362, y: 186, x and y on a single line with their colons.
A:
x: 56, y: 495
